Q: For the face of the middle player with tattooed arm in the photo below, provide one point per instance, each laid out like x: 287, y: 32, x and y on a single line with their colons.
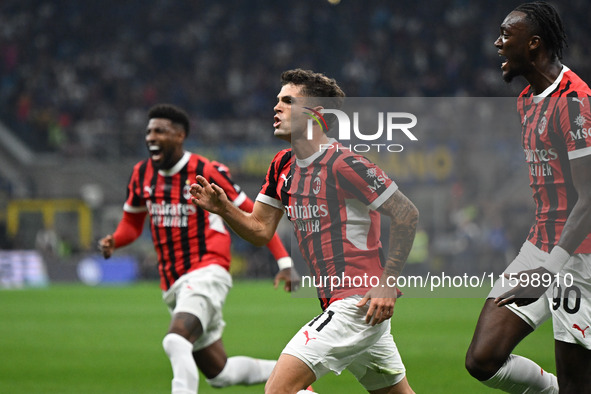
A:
x: 284, y: 110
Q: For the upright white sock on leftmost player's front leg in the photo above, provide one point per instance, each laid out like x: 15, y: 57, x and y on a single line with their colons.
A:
x: 184, y: 371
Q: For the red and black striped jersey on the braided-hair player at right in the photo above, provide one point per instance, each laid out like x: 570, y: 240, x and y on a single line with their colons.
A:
x: 556, y: 128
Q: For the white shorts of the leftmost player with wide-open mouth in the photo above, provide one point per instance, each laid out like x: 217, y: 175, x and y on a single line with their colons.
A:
x: 201, y: 293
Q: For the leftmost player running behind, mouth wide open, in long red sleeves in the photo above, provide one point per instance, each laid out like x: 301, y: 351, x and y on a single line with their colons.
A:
x: 193, y: 248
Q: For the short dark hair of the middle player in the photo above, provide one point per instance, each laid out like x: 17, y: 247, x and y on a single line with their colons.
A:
x: 316, y: 85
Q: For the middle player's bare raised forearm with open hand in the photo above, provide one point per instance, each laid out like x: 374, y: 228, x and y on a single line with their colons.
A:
x: 257, y: 227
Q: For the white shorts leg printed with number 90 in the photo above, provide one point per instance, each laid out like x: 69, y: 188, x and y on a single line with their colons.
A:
x: 571, y: 302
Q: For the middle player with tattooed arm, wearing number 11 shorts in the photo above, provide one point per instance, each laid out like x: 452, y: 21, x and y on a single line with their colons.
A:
x: 334, y: 199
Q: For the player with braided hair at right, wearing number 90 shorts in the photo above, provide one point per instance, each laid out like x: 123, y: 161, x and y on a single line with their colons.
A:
x: 555, y: 111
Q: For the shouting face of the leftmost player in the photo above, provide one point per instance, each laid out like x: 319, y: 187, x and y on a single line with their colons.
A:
x: 164, y: 140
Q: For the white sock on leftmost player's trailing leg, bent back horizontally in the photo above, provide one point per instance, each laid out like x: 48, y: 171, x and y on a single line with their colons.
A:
x: 243, y: 370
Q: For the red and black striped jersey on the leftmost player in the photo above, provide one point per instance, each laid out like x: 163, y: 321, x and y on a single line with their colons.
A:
x: 185, y: 237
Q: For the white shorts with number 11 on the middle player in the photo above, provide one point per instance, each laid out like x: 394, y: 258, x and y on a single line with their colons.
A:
x: 339, y: 339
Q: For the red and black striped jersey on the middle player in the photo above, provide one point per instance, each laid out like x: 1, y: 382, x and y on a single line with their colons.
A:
x: 331, y: 198
